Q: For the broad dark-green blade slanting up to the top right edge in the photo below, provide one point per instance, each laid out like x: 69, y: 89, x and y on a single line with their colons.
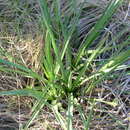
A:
x: 95, y: 31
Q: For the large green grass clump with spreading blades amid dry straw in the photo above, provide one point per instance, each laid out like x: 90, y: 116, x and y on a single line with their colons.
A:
x: 66, y: 74
